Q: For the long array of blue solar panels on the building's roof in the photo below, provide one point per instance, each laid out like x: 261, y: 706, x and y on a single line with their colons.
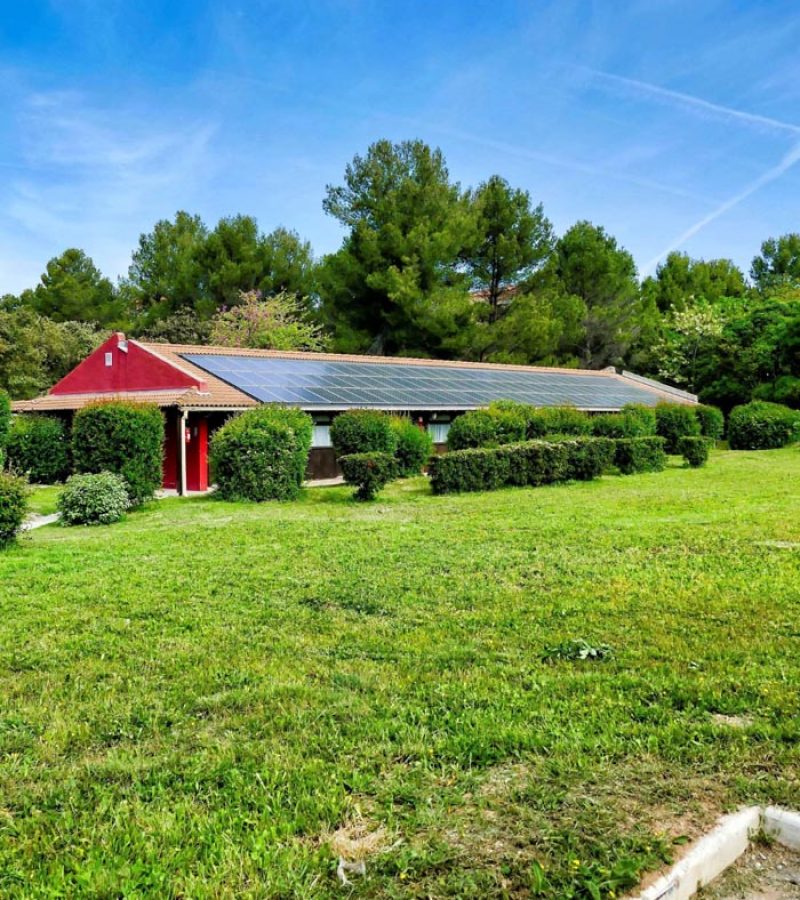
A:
x: 321, y: 384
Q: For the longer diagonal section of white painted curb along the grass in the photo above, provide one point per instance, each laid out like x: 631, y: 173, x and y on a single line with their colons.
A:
x: 709, y: 857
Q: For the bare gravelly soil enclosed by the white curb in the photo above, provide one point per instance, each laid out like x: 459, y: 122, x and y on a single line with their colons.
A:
x: 762, y: 873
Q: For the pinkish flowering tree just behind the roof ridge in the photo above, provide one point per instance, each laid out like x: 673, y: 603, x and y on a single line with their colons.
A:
x: 267, y: 323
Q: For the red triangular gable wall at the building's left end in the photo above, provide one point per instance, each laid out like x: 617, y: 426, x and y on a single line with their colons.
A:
x: 136, y: 369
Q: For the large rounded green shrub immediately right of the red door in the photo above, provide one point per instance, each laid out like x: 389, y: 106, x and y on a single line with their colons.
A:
x: 262, y: 454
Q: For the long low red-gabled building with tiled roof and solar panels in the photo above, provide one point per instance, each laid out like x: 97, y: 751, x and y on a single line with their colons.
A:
x: 199, y: 387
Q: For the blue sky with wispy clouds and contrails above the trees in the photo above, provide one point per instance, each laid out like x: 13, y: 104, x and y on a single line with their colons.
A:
x: 674, y: 124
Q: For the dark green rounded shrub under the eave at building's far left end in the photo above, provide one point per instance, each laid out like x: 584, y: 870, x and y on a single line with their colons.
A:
x: 38, y: 448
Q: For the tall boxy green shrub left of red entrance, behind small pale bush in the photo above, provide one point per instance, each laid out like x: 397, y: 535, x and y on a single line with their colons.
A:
x: 124, y: 438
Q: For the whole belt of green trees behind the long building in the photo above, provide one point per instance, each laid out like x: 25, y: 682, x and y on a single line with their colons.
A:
x: 426, y: 268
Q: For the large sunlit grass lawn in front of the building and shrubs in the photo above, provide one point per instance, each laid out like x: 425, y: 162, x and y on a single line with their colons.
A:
x: 214, y: 699
